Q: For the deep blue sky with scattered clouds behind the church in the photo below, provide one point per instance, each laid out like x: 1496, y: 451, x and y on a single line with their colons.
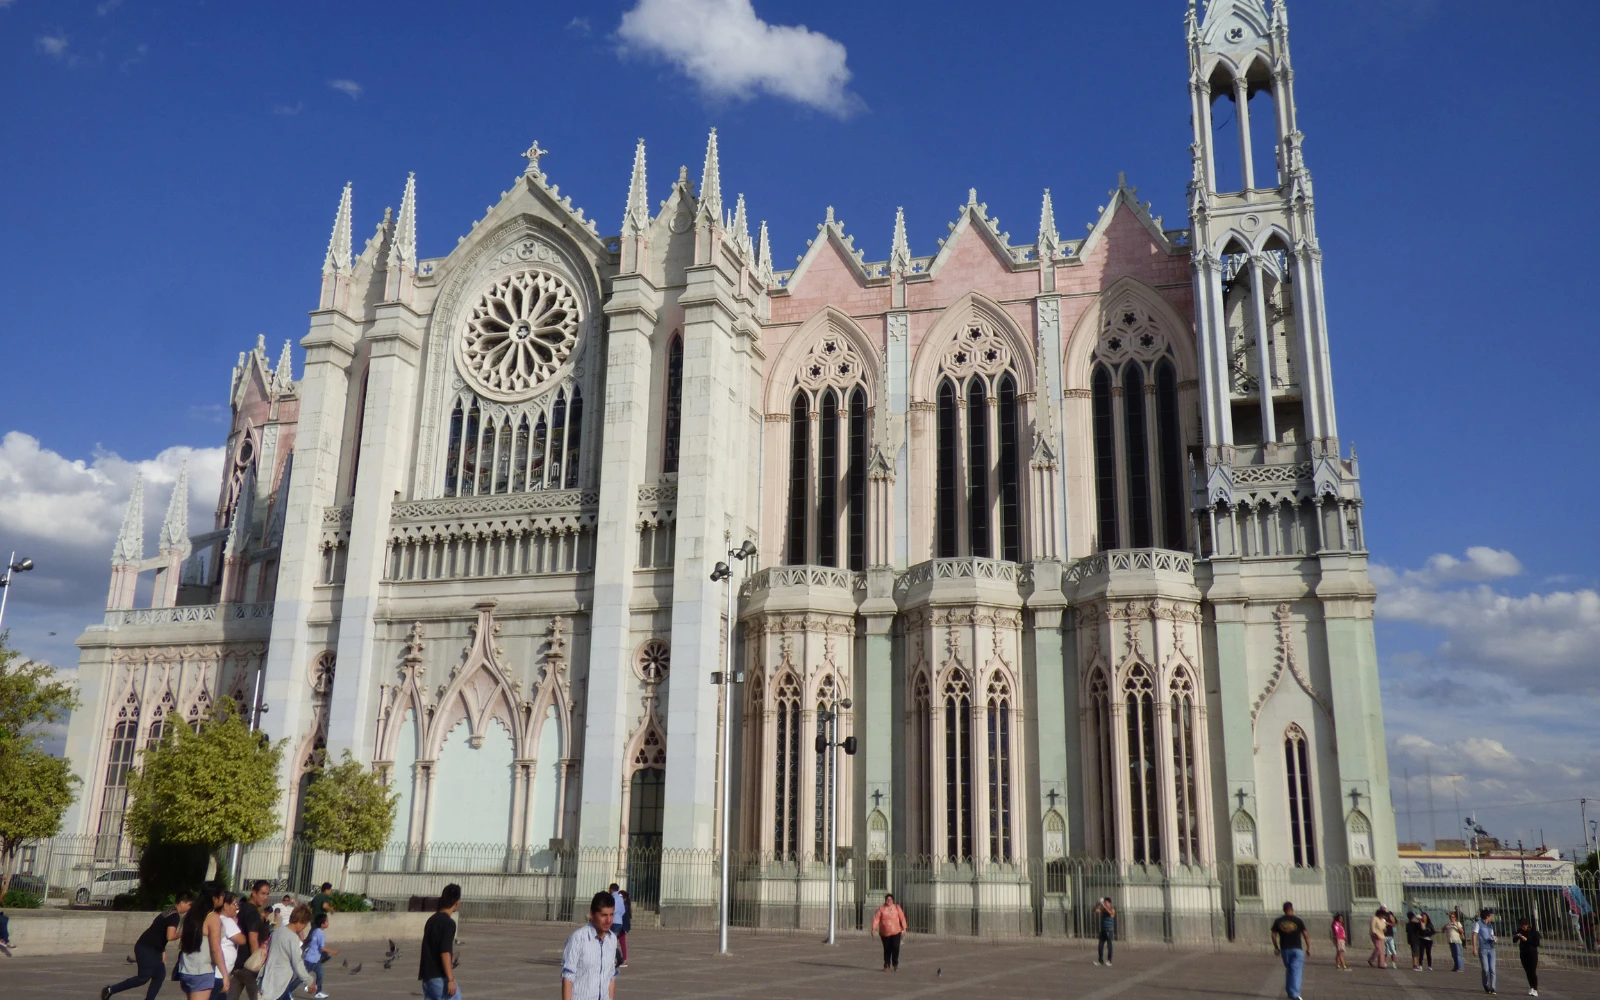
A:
x: 174, y: 172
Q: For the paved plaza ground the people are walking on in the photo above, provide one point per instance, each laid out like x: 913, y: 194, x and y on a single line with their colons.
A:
x: 522, y: 962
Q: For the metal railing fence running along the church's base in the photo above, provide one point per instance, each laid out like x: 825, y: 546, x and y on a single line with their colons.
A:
x: 1183, y: 906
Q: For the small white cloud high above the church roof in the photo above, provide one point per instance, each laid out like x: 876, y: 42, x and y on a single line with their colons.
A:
x: 726, y: 49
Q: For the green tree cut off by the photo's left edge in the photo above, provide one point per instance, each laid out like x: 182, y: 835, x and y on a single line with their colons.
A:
x: 36, y: 788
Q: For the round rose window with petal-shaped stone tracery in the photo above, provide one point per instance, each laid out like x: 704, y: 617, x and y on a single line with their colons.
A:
x: 519, y: 334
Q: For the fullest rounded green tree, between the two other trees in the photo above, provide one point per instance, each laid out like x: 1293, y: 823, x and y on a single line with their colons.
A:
x: 198, y: 793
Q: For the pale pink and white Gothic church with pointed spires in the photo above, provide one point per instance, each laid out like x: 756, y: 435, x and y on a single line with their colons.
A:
x: 1066, y: 522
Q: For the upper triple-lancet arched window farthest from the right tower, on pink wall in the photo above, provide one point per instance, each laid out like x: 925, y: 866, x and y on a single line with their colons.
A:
x: 830, y: 428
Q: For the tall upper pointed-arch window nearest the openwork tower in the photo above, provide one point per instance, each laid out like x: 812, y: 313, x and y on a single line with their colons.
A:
x: 1138, y: 436
